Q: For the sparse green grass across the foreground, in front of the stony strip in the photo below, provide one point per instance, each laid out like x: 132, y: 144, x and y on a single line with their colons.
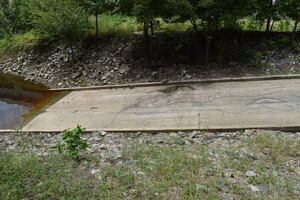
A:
x: 153, y: 171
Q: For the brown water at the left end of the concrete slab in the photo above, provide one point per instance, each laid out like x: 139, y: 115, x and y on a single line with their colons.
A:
x: 21, y: 100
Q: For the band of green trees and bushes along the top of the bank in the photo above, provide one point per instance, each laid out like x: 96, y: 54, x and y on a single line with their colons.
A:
x: 72, y: 20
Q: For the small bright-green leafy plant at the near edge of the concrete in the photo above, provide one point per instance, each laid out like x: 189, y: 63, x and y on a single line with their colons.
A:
x: 73, y: 142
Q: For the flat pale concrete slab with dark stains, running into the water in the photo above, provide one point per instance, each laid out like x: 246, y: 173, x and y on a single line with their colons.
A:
x: 223, y: 105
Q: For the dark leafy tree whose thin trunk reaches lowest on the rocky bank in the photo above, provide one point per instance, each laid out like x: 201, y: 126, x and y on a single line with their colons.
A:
x: 209, y: 16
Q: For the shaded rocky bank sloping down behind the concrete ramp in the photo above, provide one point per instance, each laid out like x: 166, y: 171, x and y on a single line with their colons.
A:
x: 119, y: 60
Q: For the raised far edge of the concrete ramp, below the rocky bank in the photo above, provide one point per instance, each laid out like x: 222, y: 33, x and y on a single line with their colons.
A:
x: 170, y: 83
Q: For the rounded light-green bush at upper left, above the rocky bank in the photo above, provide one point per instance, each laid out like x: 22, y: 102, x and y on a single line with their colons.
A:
x: 63, y: 19
